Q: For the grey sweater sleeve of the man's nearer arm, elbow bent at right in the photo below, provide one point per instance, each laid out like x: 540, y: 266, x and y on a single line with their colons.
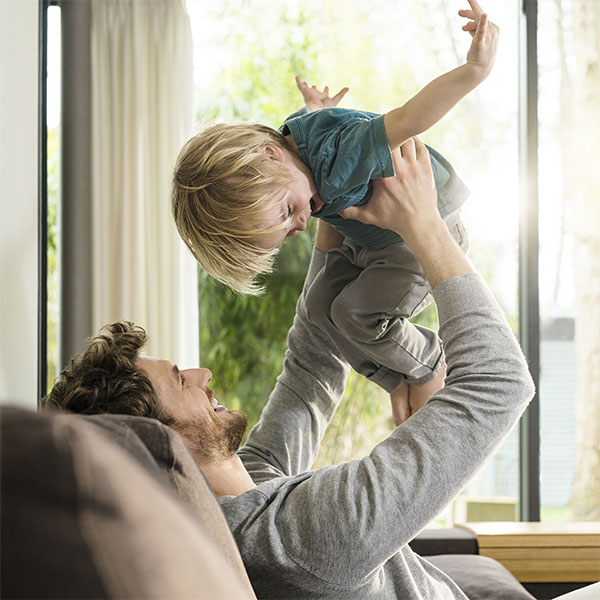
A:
x: 351, y: 518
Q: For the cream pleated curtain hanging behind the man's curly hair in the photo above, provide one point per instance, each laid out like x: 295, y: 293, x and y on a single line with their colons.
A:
x: 142, y: 113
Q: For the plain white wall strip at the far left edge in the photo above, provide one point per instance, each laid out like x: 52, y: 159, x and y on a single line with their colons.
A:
x: 18, y: 200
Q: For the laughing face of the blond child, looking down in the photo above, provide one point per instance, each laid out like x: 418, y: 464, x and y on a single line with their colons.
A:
x: 298, y: 201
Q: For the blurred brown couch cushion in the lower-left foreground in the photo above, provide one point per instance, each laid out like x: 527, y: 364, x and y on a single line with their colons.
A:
x: 81, y: 519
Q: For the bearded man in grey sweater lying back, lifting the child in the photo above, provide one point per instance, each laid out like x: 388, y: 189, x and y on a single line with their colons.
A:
x: 340, y: 532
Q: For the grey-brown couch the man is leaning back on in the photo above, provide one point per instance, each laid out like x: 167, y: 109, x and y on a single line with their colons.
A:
x: 112, y: 506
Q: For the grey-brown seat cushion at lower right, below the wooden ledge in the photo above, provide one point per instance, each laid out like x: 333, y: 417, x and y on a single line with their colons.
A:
x: 481, y: 577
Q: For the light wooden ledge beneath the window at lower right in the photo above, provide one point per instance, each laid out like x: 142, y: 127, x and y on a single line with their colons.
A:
x: 542, y: 552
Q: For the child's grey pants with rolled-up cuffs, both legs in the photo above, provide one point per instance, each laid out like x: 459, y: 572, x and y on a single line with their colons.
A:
x: 363, y: 299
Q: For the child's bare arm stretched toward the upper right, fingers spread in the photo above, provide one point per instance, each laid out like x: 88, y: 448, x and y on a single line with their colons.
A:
x: 442, y: 94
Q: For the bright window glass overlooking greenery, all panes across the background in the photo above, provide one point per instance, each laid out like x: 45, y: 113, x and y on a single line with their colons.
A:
x: 246, y: 55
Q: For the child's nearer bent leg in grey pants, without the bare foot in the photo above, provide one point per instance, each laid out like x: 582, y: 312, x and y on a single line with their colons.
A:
x: 371, y: 313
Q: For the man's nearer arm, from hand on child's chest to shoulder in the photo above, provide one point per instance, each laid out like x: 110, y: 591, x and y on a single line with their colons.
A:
x: 384, y: 499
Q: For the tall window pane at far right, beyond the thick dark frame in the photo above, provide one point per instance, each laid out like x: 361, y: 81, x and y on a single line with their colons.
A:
x: 569, y: 54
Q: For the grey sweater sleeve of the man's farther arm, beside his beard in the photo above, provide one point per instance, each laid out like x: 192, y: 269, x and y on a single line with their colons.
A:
x: 286, y: 439
